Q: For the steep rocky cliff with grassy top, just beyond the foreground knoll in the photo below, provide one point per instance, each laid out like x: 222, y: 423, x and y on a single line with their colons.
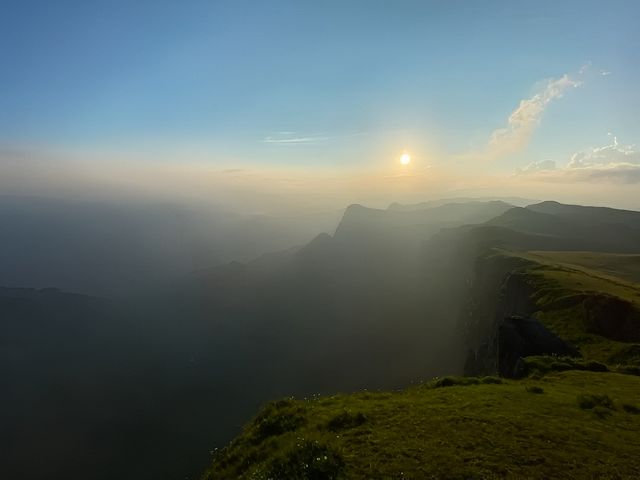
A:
x: 523, y: 305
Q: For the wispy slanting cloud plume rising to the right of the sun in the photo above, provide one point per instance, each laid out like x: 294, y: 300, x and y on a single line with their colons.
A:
x: 526, y: 117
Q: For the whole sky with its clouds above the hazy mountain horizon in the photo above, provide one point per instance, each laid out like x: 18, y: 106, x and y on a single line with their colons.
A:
x: 316, y: 101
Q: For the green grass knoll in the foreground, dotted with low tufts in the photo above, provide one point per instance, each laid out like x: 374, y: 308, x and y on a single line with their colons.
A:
x: 572, y: 425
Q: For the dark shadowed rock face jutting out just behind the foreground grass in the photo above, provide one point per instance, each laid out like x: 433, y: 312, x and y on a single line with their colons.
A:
x: 519, y: 337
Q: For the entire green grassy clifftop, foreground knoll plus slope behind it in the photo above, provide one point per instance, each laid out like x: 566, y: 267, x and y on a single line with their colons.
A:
x: 475, y: 431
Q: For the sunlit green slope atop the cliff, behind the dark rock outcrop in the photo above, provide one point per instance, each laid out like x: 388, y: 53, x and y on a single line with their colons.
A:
x: 562, y: 280
